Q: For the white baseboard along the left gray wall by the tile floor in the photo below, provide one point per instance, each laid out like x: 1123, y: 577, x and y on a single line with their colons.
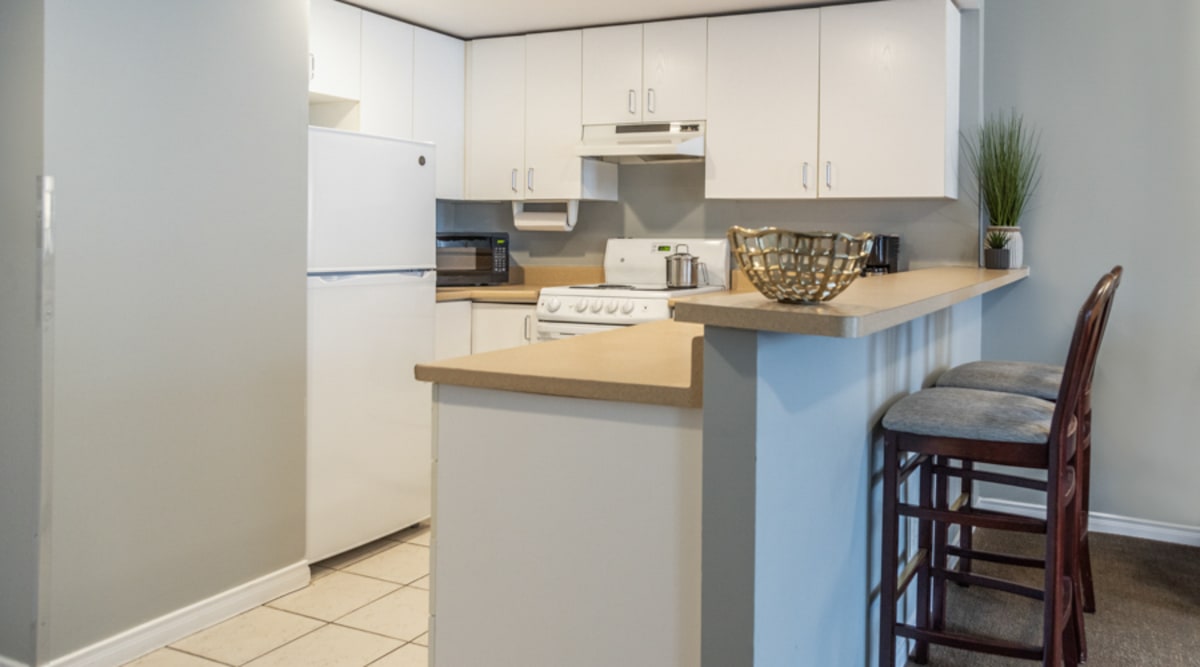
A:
x: 171, y: 628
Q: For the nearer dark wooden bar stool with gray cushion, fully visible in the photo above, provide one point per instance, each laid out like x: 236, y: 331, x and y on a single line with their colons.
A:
x: 934, y: 426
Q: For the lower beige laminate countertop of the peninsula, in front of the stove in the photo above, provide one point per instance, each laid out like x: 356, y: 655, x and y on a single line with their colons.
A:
x: 659, y: 363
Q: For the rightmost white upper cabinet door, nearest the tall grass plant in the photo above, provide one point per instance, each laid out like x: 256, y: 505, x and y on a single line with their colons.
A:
x: 890, y: 75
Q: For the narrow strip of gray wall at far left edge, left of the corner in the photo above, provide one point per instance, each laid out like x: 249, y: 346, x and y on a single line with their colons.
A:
x: 21, y: 160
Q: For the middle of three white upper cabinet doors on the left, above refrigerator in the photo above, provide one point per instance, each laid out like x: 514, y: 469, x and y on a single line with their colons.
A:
x: 387, y: 107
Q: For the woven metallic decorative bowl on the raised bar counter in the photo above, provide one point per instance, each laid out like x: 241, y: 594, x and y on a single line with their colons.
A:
x: 800, y: 267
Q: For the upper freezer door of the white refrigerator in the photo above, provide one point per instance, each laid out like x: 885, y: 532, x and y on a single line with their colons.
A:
x: 371, y: 203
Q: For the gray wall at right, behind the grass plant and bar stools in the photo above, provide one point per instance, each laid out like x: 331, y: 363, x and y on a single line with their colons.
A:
x: 1114, y: 88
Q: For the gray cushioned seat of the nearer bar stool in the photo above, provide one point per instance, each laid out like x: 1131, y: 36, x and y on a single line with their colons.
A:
x: 974, y: 414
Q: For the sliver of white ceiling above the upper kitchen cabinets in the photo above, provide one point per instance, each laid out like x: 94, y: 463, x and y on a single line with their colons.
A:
x: 485, y: 19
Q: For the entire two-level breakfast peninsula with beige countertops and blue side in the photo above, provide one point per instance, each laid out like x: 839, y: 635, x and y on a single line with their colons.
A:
x: 697, y: 492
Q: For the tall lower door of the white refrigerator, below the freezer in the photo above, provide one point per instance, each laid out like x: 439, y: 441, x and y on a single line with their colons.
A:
x: 369, y: 419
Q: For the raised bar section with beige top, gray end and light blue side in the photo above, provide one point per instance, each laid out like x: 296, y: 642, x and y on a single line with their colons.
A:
x: 793, y: 450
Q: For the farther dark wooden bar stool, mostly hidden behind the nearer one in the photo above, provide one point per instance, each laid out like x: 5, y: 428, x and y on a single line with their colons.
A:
x: 1041, y: 381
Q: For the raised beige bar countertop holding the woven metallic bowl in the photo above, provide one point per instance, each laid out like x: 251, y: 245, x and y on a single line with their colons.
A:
x: 867, y: 307
